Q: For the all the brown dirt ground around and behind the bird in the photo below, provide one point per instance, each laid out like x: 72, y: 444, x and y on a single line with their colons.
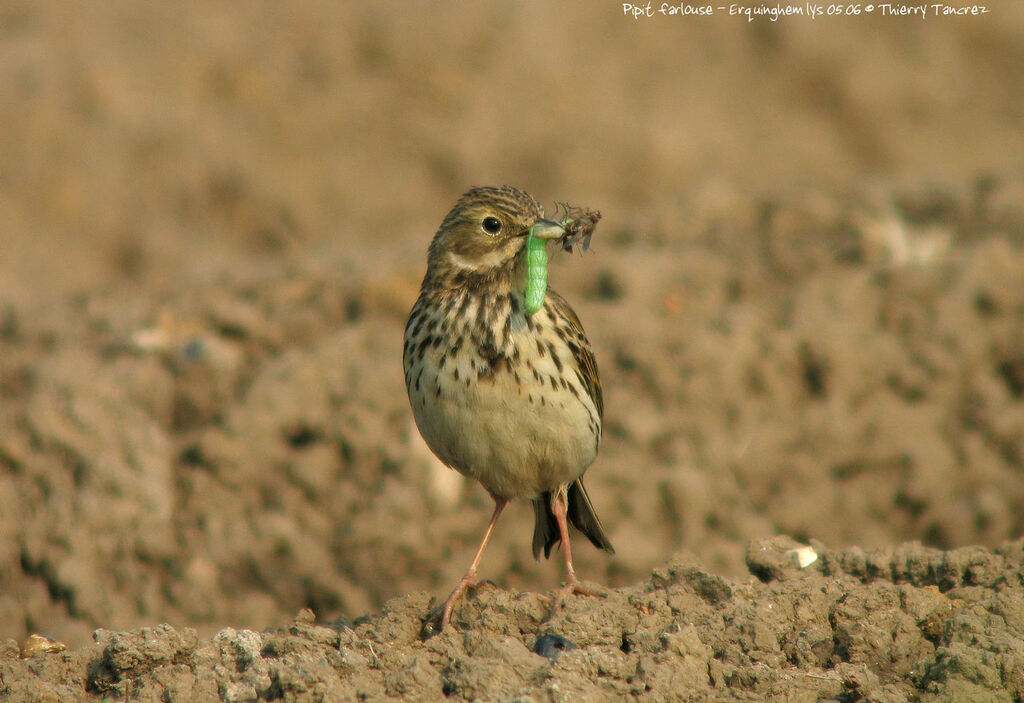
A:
x: 806, y: 298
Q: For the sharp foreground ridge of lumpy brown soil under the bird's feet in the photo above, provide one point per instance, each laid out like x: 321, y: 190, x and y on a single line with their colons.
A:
x: 909, y: 623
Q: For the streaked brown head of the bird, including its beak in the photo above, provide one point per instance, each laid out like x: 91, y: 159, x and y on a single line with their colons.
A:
x: 485, y: 233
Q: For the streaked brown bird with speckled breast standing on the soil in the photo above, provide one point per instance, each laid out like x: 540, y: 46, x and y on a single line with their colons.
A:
x: 506, y: 398
